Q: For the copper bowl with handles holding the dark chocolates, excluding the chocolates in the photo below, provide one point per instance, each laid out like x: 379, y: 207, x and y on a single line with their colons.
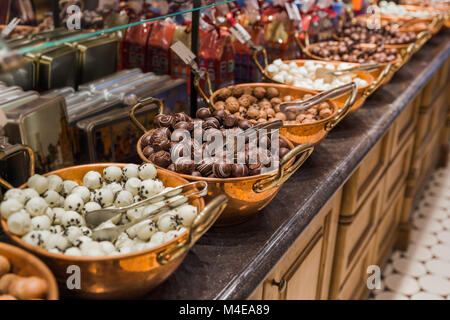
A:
x: 246, y: 195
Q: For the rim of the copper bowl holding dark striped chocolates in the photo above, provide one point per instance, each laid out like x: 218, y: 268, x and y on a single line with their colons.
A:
x: 215, y: 180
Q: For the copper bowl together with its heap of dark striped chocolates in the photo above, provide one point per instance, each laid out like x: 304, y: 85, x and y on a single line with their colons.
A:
x: 250, y: 173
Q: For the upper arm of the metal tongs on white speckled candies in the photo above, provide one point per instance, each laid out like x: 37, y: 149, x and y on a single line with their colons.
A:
x: 96, y: 217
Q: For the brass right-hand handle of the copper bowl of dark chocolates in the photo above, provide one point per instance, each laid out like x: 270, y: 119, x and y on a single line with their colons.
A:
x: 303, y: 151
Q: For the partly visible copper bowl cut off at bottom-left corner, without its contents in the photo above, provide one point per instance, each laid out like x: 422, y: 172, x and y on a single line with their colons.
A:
x: 25, y: 264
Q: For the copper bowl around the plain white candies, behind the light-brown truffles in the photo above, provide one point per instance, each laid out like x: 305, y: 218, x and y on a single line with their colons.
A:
x: 363, y: 92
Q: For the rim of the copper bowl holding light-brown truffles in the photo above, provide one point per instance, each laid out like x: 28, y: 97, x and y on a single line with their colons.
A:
x: 279, y: 85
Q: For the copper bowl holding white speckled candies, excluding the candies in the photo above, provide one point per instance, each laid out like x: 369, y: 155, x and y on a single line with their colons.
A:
x: 129, y: 275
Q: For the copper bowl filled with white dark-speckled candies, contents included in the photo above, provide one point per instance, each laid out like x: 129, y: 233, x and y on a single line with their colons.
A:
x: 47, y: 217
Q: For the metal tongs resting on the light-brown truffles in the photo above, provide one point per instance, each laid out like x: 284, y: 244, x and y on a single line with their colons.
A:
x: 318, y: 98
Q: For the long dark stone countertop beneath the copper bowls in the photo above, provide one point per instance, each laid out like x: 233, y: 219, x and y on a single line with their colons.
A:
x: 229, y: 263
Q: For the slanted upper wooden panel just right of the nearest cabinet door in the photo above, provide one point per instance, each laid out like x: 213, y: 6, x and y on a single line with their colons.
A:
x: 362, y: 181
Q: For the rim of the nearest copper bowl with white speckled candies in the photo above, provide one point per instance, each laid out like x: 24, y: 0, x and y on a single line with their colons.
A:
x: 61, y: 256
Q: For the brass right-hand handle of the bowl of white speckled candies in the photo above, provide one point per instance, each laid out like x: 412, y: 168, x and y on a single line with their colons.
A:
x: 201, y: 224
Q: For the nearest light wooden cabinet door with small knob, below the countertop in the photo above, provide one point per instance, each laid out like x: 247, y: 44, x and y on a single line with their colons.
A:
x: 305, y: 270
